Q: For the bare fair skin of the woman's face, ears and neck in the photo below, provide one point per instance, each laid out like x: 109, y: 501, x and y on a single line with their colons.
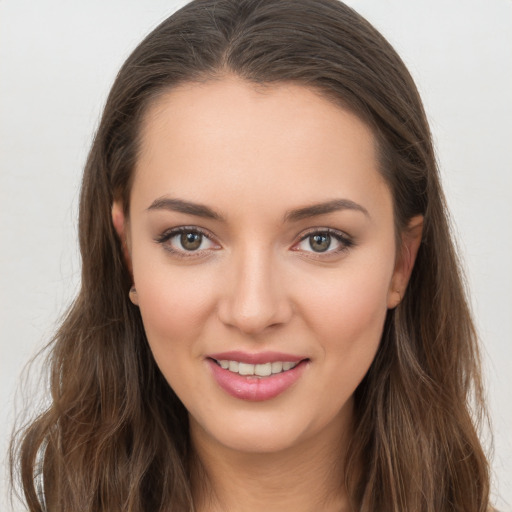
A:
x: 252, y: 155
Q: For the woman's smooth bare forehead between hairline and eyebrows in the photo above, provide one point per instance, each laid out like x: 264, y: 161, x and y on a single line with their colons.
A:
x: 228, y: 138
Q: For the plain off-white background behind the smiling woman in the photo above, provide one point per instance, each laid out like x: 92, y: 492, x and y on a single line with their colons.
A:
x: 58, y: 59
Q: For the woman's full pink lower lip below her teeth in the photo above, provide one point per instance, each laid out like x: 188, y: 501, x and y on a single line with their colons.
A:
x: 252, y: 388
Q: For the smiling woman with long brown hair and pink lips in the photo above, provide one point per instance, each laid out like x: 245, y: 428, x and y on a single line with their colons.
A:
x: 270, y: 295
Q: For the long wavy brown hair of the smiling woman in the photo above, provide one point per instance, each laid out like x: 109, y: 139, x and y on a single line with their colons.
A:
x: 115, y: 436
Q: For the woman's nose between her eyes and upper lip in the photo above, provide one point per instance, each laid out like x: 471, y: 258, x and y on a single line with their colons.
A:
x: 254, y: 297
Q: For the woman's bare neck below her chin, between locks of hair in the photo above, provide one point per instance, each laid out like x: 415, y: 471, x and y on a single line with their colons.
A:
x: 304, y: 478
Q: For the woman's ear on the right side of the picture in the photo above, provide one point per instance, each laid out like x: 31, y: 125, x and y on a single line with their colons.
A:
x: 411, y: 239
